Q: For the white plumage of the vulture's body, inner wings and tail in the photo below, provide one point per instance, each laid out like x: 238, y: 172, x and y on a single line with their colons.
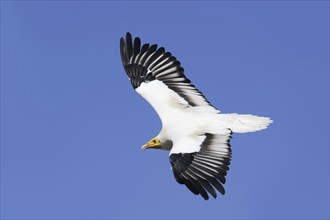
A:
x: 185, y: 124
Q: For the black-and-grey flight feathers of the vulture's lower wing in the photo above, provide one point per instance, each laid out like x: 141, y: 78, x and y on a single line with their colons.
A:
x: 205, y: 170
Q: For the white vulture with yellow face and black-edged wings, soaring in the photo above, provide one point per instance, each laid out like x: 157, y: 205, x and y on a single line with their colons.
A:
x: 195, y: 133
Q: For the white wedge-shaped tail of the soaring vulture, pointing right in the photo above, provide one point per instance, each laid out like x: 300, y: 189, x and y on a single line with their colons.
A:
x: 246, y: 123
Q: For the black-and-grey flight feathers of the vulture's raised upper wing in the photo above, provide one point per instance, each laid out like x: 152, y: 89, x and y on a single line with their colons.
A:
x: 149, y: 63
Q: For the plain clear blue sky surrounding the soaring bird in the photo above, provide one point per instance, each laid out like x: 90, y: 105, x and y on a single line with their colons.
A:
x: 72, y: 126
